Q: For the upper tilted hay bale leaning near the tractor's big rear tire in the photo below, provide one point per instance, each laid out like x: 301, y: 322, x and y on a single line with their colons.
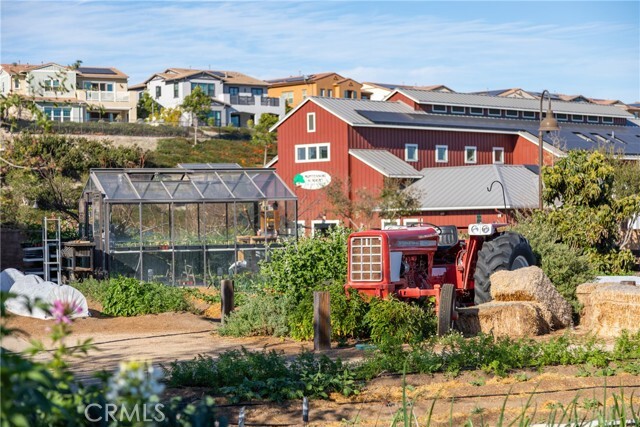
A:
x: 531, y: 284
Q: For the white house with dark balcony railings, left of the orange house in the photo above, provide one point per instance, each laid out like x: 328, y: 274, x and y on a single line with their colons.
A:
x: 235, y: 97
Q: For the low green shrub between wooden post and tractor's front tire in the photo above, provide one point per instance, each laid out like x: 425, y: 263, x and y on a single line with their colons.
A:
x: 398, y: 320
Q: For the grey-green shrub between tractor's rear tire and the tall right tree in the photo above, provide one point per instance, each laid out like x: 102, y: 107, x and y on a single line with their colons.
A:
x: 565, y: 266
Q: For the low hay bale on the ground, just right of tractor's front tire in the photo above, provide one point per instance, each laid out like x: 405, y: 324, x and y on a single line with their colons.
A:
x: 515, y: 319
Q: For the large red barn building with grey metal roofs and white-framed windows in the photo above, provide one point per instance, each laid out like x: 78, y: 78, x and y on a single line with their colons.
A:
x: 361, y: 143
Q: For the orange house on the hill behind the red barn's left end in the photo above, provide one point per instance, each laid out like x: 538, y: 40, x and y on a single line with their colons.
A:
x: 295, y: 89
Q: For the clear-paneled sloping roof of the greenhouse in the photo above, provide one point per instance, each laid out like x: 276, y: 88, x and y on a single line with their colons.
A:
x: 188, y: 185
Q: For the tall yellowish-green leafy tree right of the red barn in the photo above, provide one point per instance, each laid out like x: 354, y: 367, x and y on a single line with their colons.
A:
x: 585, y: 211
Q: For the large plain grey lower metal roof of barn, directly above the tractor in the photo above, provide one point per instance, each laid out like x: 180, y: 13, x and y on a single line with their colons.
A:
x: 465, y: 187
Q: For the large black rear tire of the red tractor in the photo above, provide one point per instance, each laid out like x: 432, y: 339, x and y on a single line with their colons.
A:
x: 507, y: 251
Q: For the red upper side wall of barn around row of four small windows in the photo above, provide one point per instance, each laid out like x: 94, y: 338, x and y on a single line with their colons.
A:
x: 394, y: 140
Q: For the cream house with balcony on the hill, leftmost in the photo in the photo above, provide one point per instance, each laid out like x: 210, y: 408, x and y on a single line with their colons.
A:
x: 66, y: 93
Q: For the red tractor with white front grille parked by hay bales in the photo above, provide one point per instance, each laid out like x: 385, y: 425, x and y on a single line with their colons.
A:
x: 431, y: 261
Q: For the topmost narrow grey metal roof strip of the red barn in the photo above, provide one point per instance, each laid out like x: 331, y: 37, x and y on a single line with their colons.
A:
x: 521, y: 104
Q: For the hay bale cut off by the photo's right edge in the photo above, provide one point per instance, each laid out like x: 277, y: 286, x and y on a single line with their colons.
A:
x: 611, y: 308
